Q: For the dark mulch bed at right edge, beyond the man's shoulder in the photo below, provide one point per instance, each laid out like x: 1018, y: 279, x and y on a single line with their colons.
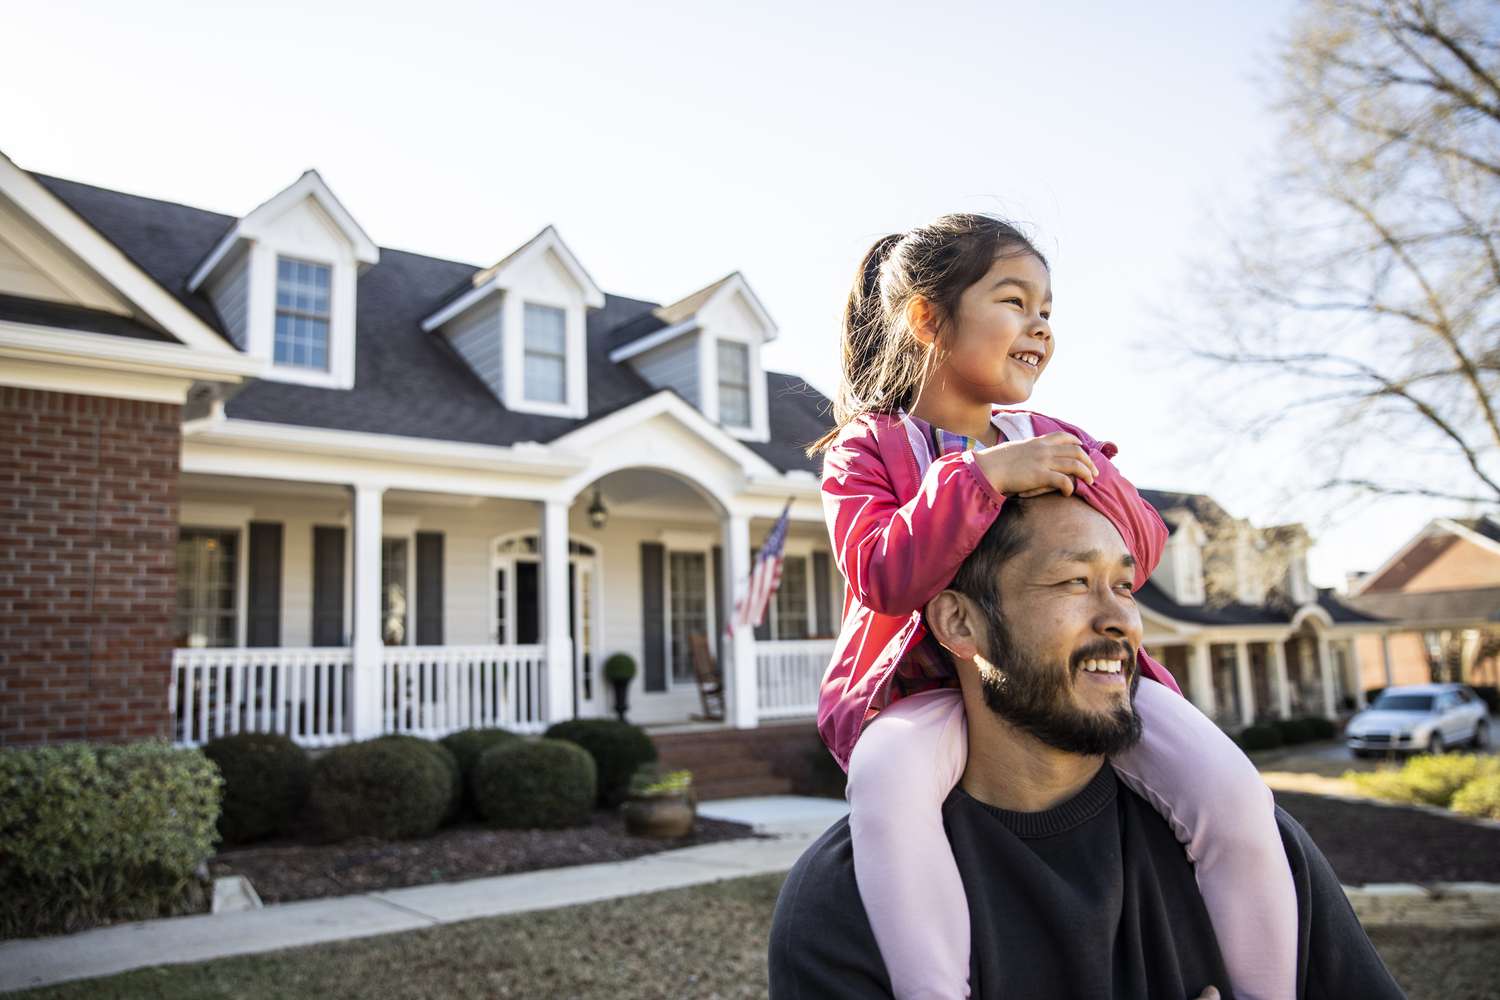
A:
x: 1384, y: 843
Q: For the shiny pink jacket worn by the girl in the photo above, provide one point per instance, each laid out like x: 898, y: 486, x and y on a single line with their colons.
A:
x: 899, y: 536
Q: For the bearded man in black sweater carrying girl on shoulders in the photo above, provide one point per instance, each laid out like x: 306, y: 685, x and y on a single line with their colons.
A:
x: 1076, y: 885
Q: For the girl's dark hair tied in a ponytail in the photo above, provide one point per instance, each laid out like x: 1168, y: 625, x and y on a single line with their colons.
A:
x: 884, y: 365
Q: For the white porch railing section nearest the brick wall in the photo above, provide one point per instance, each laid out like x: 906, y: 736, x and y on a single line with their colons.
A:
x: 299, y: 693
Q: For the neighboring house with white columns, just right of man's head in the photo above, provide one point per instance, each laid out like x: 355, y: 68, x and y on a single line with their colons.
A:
x: 1232, y: 614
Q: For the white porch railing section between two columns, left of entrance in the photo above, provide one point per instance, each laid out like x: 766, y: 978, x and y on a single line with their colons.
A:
x: 436, y: 690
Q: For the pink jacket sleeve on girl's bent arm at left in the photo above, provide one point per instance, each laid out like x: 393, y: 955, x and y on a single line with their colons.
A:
x: 898, y: 552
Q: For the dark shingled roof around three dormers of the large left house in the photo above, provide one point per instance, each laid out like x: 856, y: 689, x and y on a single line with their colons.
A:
x: 410, y: 383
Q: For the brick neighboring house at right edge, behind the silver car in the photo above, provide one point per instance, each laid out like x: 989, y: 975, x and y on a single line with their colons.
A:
x: 1442, y: 594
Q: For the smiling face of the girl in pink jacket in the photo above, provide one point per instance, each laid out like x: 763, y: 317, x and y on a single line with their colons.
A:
x: 1000, y: 340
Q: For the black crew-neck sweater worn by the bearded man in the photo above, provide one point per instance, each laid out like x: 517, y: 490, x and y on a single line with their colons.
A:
x: 1093, y: 899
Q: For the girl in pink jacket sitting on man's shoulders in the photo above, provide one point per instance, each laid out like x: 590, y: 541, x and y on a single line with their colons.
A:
x: 943, y: 325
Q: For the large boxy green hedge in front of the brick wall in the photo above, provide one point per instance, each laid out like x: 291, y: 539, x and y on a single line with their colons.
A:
x: 91, y: 836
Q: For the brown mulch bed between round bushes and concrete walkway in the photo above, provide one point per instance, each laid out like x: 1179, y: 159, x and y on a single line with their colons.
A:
x: 284, y: 872
